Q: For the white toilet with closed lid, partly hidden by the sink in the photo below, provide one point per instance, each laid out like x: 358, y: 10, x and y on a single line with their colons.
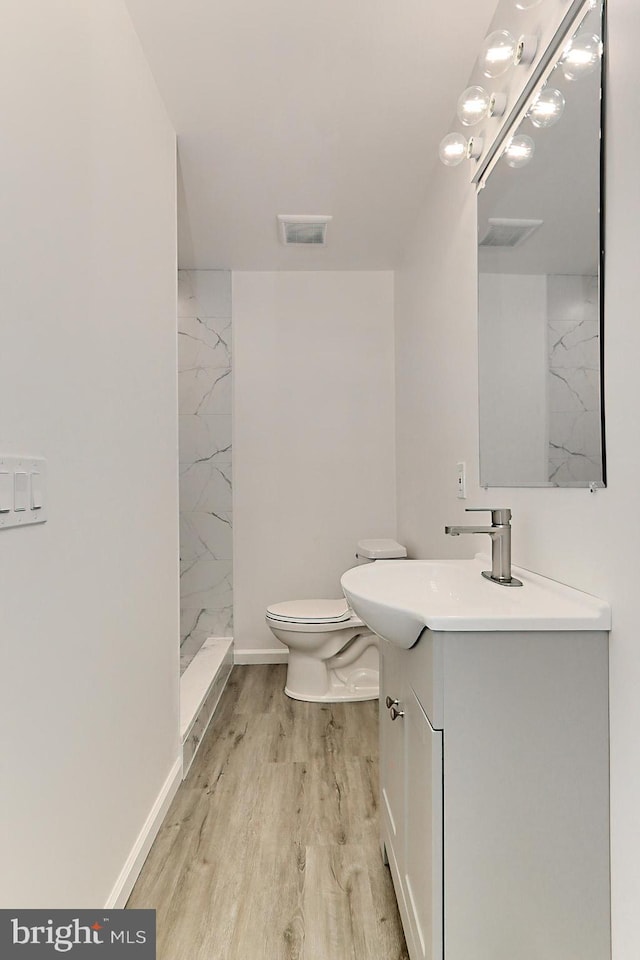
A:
x: 332, y: 654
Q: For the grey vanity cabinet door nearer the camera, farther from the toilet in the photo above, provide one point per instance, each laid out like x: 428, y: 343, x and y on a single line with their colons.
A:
x: 423, y: 868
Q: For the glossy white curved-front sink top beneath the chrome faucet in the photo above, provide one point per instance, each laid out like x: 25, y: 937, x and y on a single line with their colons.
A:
x: 397, y: 599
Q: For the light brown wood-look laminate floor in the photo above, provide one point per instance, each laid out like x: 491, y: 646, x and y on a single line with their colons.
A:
x: 270, y: 850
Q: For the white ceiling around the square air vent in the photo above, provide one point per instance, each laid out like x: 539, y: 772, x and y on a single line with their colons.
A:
x: 306, y: 107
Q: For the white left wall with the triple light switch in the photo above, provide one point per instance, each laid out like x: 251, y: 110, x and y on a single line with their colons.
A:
x: 89, y: 627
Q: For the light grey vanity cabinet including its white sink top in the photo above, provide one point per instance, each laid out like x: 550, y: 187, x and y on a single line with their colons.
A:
x: 494, y: 760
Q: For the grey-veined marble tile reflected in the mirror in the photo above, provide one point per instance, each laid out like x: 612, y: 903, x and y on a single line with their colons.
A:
x: 574, y: 379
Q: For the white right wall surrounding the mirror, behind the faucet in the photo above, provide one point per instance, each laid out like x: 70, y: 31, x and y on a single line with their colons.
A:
x: 587, y: 540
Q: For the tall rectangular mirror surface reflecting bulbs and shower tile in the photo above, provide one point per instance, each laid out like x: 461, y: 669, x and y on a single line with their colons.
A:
x: 540, y: 285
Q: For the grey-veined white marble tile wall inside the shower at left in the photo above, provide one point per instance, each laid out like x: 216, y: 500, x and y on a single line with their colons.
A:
x: 204, y: 374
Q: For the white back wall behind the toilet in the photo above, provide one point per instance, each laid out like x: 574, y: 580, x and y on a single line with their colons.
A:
x: 313, y: 434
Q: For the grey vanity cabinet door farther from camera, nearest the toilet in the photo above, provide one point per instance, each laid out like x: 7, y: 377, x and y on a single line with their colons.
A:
x: 392, y: 767
